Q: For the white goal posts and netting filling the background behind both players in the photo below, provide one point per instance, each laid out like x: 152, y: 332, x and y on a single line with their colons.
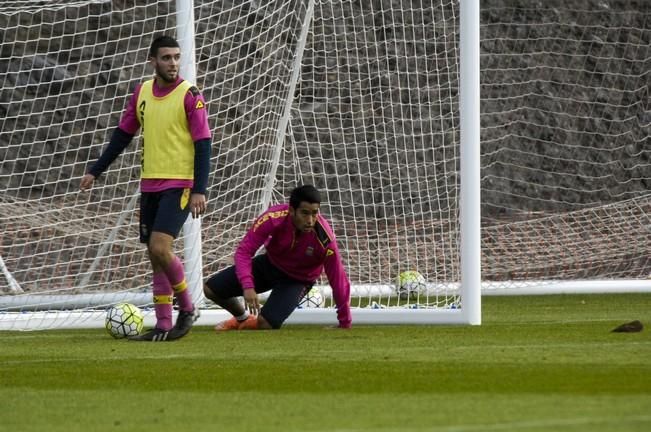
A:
x: 375, y: 102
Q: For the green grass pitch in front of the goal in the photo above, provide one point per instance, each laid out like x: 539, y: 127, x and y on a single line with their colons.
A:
x: 544, y: 363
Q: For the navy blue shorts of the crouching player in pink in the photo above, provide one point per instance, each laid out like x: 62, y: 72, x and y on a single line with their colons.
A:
x: 285, y: 294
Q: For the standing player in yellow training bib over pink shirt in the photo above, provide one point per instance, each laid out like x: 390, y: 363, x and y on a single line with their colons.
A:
x: 171, y: 113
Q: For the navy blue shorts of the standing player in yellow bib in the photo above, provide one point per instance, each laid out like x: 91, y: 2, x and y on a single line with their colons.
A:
x: 165, y: 211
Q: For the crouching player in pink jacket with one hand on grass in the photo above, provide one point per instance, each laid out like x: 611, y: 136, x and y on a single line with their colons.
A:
x: 299, y: 245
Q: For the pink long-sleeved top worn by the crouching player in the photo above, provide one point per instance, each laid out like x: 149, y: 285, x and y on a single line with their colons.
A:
x: 302, y: 256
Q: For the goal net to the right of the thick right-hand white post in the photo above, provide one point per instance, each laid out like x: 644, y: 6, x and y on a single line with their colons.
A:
x: 566, y: 161
